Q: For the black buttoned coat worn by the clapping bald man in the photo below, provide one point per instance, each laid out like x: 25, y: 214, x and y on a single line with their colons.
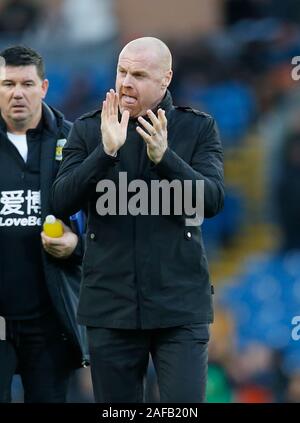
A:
x: 142, y: 271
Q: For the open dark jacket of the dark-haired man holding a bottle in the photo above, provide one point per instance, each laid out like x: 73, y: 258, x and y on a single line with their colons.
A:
x: 62, y: 276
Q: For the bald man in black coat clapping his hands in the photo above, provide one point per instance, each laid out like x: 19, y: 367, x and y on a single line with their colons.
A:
x: 146, y: 288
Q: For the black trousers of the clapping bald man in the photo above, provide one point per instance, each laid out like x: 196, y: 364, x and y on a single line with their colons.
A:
x: 119, y: 360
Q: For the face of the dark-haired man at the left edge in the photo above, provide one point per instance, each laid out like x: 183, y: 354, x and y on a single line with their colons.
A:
x: 21, y: 94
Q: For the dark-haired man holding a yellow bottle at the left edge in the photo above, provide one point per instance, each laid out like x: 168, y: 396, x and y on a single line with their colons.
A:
x: 39, y: 276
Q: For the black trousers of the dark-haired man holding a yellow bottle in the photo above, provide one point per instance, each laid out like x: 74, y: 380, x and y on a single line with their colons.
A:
x: 39, y: 352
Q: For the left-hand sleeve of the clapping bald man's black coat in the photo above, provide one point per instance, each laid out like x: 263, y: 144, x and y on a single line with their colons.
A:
x: 79, y: 172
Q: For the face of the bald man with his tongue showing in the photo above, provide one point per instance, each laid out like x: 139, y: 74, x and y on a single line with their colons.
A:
x: 140, y: 82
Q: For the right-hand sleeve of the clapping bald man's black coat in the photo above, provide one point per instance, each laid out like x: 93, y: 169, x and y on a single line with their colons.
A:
x: 206, y: 164
